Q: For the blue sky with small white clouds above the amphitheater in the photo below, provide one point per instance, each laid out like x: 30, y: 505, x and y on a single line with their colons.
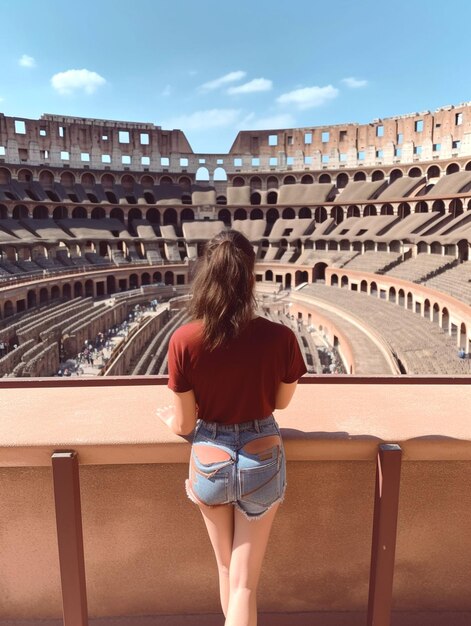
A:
x: 212, y: 68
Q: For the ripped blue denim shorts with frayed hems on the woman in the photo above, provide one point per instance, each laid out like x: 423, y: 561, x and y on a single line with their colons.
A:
x: 227, y: 467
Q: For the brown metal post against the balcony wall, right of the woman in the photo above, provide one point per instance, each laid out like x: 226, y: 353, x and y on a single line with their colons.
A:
x: 388, y: 475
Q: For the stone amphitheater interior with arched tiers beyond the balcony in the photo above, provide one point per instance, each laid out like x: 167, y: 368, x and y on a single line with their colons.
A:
x: 362, y: 234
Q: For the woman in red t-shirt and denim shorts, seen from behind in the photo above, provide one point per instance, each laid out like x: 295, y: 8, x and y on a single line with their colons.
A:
x: 230, y: 369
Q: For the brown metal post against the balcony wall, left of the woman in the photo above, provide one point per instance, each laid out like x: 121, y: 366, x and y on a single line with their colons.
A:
x: 69, y: 536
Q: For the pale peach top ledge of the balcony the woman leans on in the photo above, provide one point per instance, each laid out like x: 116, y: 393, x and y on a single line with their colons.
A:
x: 331, y: 418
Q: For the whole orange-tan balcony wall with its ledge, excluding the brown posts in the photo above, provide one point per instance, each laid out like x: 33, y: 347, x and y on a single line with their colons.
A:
x: 146, y: 550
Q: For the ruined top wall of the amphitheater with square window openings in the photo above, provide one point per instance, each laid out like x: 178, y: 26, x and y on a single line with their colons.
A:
x: 69, y: 142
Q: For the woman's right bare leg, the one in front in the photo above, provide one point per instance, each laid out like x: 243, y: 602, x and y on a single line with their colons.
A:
x: 248, y: 550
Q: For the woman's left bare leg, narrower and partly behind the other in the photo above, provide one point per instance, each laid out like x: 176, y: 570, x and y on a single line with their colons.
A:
x: 219, y: 522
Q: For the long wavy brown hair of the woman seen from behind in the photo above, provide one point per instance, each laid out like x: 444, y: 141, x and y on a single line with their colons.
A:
x: 223, y: 288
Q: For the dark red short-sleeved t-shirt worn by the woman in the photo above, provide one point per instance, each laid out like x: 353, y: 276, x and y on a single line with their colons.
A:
x: 238, y: 382
